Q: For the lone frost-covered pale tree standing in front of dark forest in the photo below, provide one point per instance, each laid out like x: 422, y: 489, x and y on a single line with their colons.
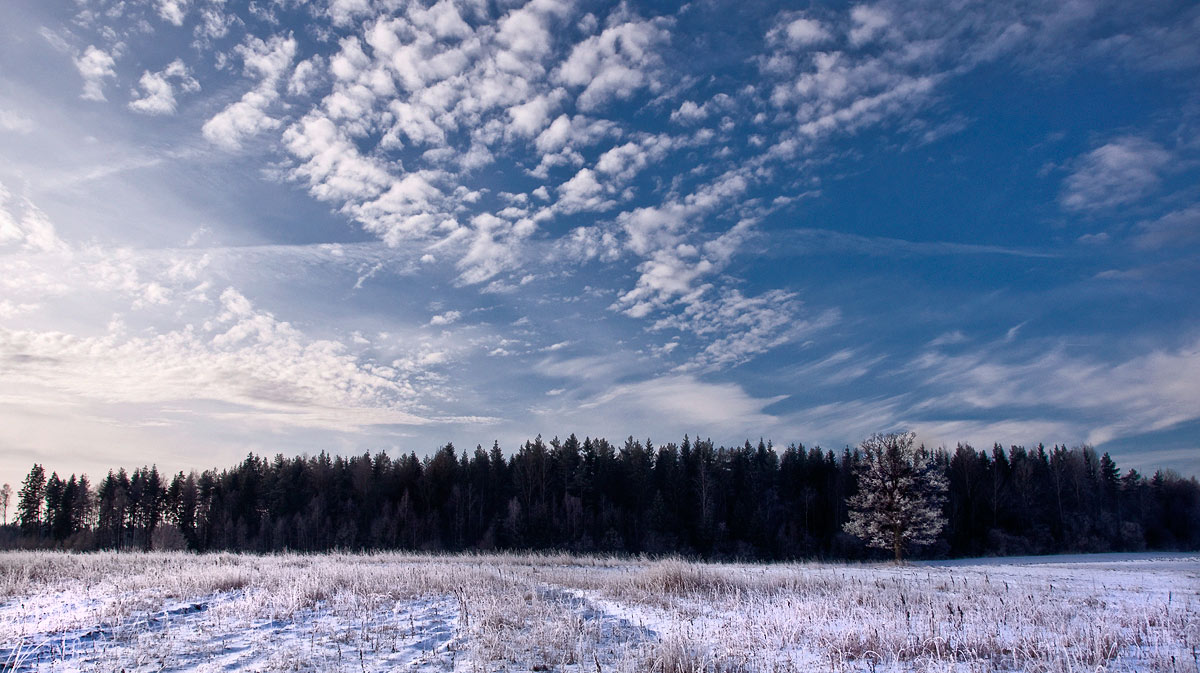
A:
x: 901, y: 495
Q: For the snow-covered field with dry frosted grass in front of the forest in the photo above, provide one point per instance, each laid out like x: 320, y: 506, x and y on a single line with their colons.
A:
x: 403, y: 612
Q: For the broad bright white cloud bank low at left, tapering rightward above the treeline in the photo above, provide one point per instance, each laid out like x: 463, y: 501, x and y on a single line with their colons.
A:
x: 250, y: 362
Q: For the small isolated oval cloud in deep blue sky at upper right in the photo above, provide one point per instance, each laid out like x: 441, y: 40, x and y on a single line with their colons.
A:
x: 1118, y: 173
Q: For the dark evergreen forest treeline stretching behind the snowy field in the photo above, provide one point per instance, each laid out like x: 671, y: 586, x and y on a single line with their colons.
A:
x: 691, y: 498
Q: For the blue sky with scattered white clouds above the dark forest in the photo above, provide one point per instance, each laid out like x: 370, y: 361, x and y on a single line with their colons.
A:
x: 375, y: 225
